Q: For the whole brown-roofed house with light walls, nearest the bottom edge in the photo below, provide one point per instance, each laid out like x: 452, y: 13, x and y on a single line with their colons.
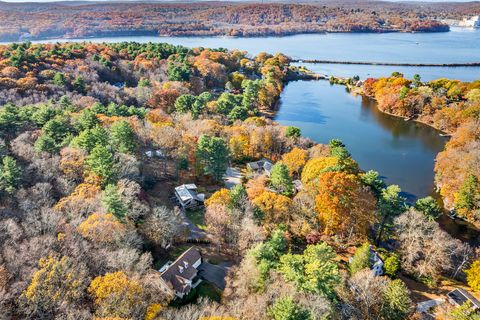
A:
x: 181, y: 276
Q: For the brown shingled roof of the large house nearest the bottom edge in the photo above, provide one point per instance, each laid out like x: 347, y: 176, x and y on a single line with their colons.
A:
x: 181, y: 271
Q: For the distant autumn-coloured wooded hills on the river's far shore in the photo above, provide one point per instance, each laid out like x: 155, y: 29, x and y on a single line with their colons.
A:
x: 30, y: 21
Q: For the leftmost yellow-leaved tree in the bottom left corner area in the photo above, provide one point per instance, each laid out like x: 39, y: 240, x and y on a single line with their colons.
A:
x: 58, y: 281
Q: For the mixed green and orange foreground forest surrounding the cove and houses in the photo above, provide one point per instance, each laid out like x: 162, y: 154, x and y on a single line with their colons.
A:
x: 87, y: 219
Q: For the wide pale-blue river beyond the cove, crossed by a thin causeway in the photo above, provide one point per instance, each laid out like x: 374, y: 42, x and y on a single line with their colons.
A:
x: 457, y: 46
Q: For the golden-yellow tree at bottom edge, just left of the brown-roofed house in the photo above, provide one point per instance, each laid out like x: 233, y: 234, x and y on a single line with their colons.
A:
x: 116, y: 295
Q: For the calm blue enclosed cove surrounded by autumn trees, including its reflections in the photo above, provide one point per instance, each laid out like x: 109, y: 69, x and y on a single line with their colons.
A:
x: 403, y: 152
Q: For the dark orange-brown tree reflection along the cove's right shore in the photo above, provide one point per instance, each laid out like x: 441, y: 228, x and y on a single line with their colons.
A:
x: 429, y: 137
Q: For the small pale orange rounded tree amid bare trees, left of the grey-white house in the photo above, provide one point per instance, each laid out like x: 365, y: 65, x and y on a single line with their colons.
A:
x: 102, y: 228
